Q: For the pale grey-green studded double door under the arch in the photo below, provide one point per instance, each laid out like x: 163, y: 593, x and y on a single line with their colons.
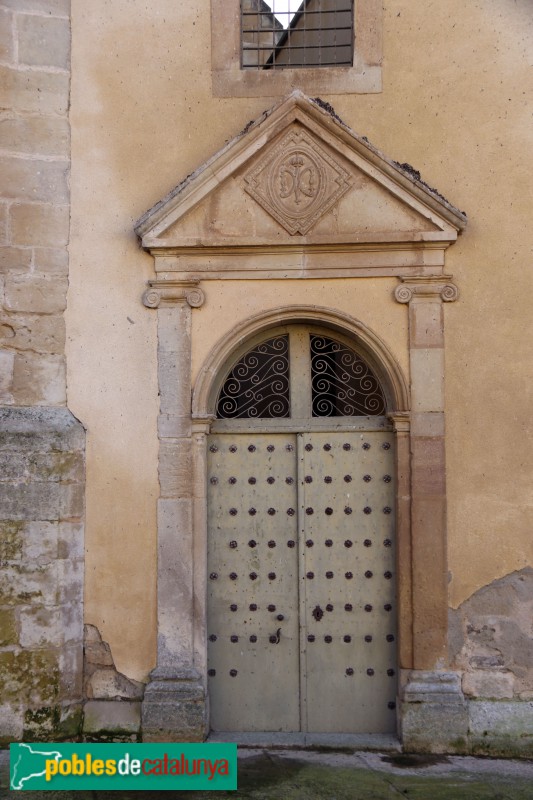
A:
x: 301, y: 578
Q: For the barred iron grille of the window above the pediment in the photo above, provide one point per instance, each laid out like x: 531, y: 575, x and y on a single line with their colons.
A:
x: 277, y: 34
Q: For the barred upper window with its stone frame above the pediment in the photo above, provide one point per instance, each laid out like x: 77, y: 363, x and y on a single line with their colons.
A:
x: 266, y: 48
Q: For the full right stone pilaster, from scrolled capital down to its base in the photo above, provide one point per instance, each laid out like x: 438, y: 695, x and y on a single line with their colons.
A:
x: 433, y: 711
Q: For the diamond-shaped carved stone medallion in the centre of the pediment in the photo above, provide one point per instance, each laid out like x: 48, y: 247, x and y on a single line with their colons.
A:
x: 297, y: 181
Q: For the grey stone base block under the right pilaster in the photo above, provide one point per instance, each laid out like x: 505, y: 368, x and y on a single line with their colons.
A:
x: 434, y: 713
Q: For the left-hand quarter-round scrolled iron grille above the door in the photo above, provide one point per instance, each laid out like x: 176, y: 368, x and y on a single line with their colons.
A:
x: 258, y: 385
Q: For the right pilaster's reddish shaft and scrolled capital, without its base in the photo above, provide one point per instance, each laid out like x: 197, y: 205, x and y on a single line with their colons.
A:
x: 425, y: 296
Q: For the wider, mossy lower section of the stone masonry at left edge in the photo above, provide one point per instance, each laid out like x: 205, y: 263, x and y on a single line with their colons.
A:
x: 42, y: 481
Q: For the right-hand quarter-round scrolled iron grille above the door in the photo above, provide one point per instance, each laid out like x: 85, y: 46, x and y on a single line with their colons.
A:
x: 342, y: 385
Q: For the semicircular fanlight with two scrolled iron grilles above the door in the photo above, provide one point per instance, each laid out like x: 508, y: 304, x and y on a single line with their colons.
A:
x: 341, y: 383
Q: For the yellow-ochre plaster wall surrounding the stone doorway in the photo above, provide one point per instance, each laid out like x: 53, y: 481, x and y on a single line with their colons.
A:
x: 456, y: 104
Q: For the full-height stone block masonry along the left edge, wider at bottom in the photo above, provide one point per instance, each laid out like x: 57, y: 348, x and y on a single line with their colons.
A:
x: 42, y: 469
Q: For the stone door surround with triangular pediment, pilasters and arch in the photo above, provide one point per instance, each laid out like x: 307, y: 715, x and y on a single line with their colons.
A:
x: 213, y: 239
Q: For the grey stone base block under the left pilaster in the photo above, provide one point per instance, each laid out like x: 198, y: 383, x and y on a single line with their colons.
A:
x: 174, y: 707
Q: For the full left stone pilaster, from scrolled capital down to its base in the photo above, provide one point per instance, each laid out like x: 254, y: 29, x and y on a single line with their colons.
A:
x: 174, y: 702
